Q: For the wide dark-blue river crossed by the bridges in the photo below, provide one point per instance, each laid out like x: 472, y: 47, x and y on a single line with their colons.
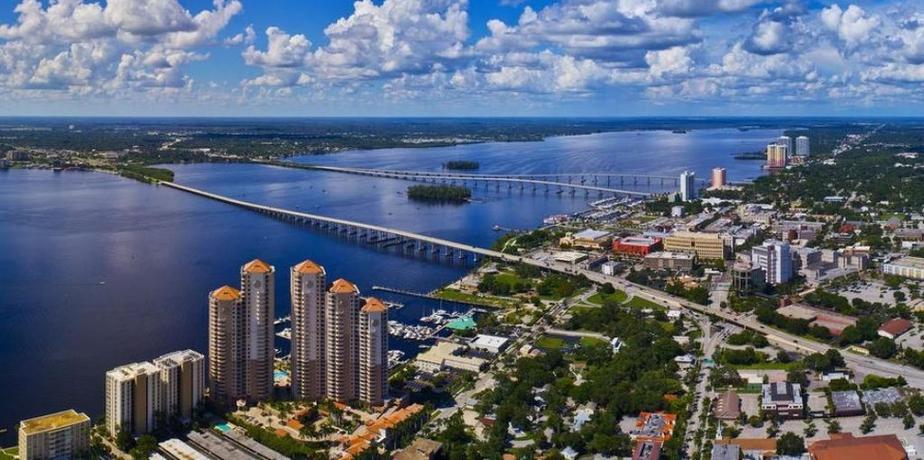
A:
x: 98, y: 271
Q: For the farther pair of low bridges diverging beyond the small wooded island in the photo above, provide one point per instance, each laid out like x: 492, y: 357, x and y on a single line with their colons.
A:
x: 601, y: 184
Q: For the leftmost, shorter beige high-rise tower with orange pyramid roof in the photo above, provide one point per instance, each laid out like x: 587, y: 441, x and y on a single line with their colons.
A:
x: 226, y: 346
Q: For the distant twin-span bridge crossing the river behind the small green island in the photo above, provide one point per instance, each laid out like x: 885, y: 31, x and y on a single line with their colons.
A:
x: 534, y: 180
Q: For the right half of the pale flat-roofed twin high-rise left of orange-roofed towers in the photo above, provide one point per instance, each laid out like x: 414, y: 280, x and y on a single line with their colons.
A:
x: 182, y: 374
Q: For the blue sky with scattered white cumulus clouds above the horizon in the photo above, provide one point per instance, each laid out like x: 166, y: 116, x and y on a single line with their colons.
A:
x: 609, y: 58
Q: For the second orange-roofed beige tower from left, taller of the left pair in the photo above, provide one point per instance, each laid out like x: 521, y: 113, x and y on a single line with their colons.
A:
x: 258, y: 287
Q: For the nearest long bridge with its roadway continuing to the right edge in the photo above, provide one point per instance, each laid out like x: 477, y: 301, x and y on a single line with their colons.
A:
x: 862, y: 364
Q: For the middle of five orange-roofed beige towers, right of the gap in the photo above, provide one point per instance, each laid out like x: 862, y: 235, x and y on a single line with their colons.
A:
x: 308, y: 288
